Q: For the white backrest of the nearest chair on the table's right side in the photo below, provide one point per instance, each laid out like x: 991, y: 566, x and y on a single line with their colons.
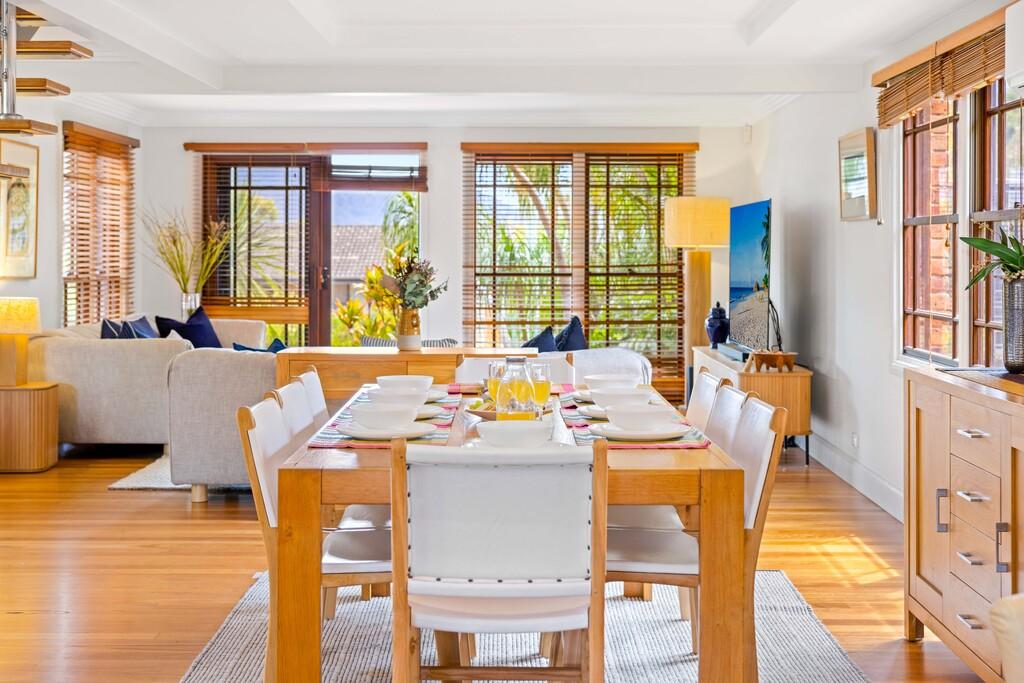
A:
x: 753, y: 446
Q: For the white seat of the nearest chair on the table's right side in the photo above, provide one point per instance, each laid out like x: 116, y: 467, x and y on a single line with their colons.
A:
x: 653, y: 552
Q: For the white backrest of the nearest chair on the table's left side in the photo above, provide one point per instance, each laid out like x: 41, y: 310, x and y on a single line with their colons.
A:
x: 272, y: 443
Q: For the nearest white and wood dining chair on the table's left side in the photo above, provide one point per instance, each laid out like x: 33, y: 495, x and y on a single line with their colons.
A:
x: 350, y: 558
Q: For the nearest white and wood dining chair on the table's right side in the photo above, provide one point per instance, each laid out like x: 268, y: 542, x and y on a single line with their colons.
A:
x: 637, y: 554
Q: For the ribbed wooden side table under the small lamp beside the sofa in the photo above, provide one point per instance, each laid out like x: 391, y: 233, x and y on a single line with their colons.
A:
x: 29, y: 428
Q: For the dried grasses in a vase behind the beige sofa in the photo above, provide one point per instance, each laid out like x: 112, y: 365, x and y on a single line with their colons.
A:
x: 189, y: 260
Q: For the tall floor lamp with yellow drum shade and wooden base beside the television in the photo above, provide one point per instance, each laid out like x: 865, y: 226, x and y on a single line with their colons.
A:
x: 697, y: 225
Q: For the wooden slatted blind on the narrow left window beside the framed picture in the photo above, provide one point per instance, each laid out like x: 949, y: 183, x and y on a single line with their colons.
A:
x: 99, y: 226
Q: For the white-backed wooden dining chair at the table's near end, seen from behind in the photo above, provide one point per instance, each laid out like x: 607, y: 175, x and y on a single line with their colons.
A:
x: 476, y: 552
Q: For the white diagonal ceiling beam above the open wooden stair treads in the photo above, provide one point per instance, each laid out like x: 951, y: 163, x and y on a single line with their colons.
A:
x: 113, y: 26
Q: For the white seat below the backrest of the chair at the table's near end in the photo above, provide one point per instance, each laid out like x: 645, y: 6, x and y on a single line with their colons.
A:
x: 500, y: 615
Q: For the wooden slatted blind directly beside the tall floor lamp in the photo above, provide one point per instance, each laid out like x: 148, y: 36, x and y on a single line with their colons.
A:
x: 634, y: 292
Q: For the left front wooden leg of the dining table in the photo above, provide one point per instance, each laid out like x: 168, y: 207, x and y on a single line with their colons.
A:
x: 298, y: 577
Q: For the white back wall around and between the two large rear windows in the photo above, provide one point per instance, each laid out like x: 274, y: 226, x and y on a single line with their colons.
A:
x: 169, y: 184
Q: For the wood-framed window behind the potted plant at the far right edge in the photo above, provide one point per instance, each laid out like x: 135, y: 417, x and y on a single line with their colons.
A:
x: 1000, y: 182
